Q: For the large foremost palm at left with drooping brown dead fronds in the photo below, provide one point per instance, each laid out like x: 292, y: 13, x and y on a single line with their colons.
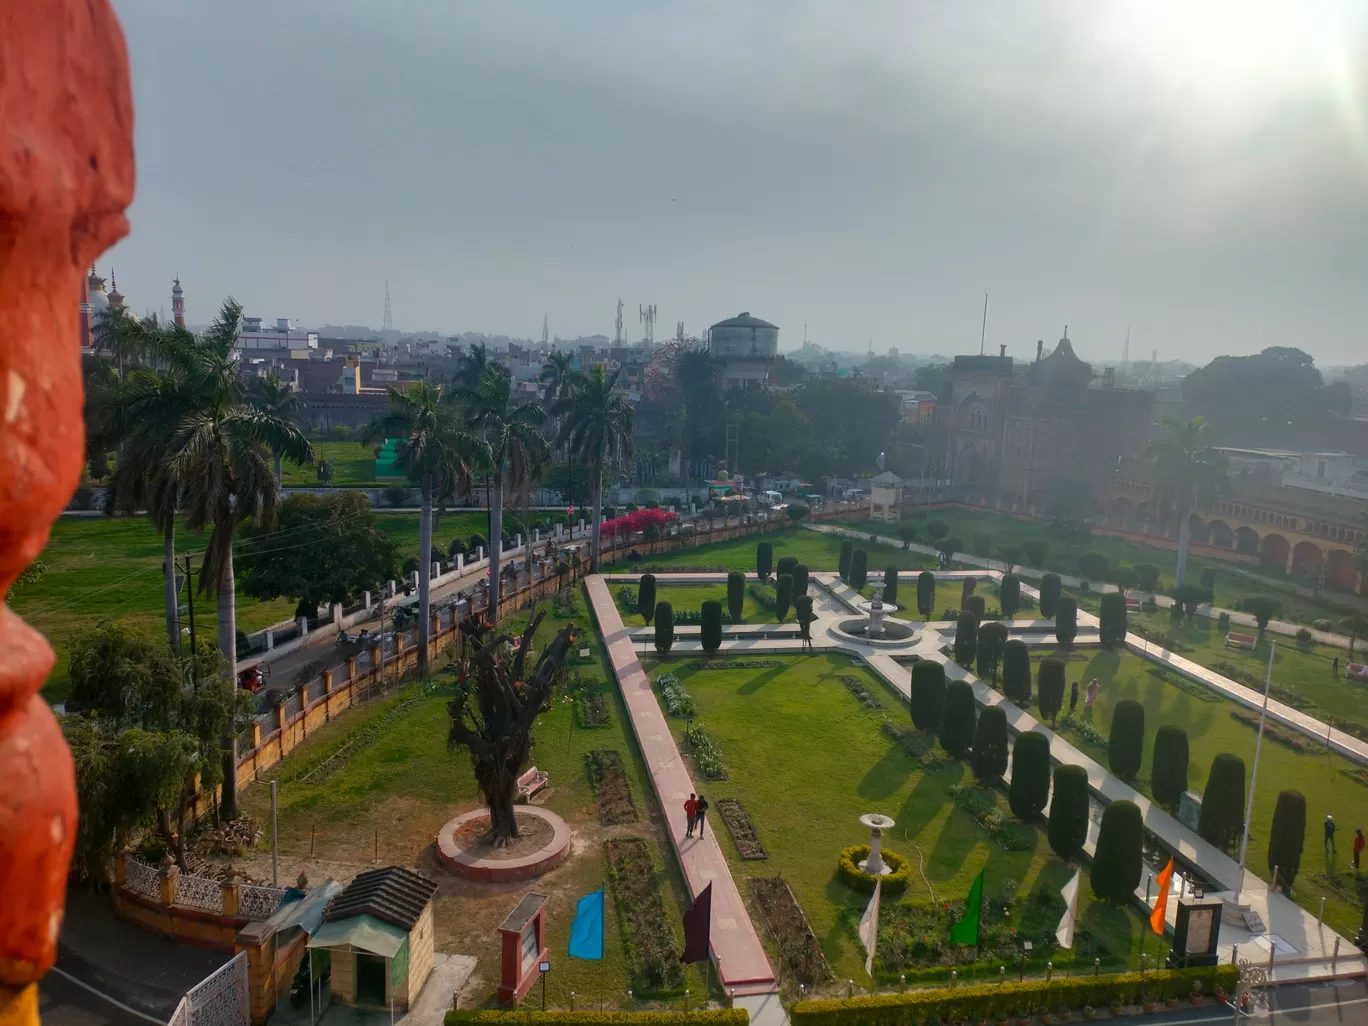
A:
x: 220, y: 452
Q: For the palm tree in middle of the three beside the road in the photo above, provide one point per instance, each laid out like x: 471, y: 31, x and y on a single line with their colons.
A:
x: 518, y: 449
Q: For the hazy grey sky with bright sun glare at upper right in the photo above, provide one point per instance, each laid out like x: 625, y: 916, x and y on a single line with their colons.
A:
x: 1198, y: 172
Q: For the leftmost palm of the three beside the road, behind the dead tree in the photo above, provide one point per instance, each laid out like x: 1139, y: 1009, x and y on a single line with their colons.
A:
x: 436, y: 452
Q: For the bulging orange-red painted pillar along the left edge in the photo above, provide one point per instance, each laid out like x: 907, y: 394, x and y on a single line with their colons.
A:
x: 66, y: 177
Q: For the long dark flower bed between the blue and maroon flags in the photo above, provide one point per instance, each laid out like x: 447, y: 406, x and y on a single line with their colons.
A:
x: 649, y: 943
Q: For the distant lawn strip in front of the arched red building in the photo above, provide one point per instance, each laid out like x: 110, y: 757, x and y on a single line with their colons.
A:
x: 1233, y: 581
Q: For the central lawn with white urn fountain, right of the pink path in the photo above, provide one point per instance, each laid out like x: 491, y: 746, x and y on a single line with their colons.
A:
x: 806, y: 759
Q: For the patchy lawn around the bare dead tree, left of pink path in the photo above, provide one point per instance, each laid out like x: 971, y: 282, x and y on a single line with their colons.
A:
x: 407, y: 783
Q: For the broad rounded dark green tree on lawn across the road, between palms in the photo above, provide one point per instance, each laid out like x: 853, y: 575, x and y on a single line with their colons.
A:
x: 322, y: 549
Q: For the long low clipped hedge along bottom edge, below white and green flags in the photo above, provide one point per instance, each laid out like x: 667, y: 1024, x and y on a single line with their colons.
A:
x: 992, y: 1001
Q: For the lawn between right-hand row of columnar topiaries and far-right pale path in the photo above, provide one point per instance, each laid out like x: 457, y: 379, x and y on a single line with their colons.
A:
x: 1332, y: 785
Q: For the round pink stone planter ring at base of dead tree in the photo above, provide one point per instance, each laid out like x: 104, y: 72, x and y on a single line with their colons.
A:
x: 462, y: 847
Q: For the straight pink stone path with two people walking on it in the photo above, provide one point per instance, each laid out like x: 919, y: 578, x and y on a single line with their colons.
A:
x: 738, y: 951
